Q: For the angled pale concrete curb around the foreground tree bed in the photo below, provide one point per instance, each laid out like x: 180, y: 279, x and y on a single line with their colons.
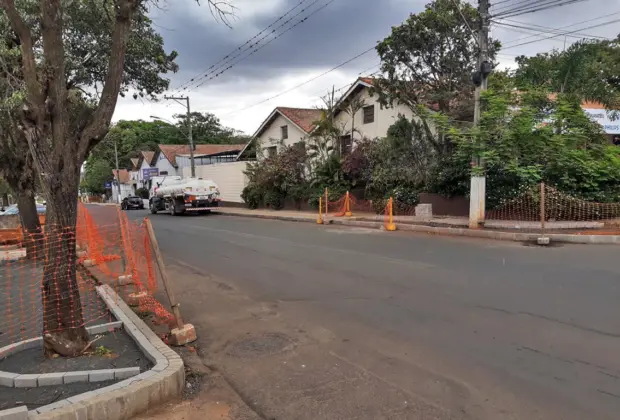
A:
x: 123, y: 400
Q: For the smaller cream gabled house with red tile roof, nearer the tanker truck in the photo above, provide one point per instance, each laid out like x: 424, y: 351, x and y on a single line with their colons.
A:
x: 284, y: 127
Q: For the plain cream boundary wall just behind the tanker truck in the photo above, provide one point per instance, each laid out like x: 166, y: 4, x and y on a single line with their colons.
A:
x: 229, y: 177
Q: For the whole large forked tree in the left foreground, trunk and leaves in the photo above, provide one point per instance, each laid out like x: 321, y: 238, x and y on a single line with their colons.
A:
x: 76, y: 58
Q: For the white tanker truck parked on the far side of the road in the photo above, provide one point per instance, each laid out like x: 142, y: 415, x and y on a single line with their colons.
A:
x: 178, y: 195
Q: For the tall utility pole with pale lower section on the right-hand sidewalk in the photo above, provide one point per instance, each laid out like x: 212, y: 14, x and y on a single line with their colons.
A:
x: 477, y: 193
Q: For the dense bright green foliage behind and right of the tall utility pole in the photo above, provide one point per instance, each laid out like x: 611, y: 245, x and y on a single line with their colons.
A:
x: 525, y: 139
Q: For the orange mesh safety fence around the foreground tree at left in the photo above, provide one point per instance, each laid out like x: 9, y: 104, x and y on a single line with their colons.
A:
x: 39, y: 293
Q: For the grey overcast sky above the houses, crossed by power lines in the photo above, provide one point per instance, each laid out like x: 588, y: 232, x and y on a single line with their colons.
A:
x: 338, y: 31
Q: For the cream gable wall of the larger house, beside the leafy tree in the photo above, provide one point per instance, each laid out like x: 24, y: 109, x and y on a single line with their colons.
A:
x: 384, y: 118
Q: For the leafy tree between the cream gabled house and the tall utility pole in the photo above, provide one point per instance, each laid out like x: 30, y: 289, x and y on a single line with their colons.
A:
x: 428, y: 62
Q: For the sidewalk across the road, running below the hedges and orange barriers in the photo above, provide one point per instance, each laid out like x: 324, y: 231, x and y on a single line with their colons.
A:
x: 520, y: 231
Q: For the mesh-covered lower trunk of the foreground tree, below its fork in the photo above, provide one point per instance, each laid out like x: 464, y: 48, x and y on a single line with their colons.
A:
x: 64, y: 331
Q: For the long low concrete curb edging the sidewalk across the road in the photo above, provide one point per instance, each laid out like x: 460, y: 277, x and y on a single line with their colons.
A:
x: 471, y: 233
